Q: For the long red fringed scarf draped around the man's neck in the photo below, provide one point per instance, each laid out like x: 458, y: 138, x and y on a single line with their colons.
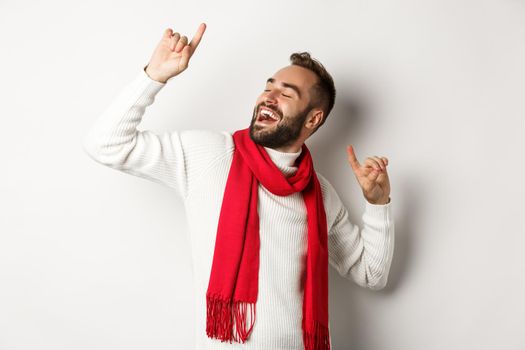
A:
x: 233, y: 284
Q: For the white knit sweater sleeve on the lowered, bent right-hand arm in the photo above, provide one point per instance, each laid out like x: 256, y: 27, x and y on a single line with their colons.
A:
x: 362, y: 254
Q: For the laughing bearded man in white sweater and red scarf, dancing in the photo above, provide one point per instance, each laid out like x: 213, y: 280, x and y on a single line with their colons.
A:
x: 263, y: 223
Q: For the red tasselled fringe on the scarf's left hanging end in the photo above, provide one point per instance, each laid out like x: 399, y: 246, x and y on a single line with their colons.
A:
x: 222, y: 314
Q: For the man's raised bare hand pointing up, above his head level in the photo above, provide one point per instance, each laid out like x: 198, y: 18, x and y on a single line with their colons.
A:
x: 172, y: 54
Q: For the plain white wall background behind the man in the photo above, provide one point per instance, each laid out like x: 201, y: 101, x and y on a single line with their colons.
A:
x: 92, y: 258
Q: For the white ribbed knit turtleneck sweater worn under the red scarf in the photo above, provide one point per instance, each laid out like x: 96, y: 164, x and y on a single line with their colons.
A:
x: 195, y: 163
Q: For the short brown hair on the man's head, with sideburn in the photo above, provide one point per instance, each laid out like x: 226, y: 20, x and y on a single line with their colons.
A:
x: 323, y: 92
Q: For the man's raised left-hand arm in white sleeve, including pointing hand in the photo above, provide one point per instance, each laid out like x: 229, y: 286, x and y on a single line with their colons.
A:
x: 114, y: 140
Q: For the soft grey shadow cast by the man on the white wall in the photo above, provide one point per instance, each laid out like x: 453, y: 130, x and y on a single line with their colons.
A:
x: 350, y: 327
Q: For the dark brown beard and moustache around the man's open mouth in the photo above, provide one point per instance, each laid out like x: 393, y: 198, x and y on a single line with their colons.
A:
x: 285, y: 133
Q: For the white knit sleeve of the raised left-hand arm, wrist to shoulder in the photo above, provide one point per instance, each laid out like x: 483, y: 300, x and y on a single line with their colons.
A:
x: 171, y: 158
